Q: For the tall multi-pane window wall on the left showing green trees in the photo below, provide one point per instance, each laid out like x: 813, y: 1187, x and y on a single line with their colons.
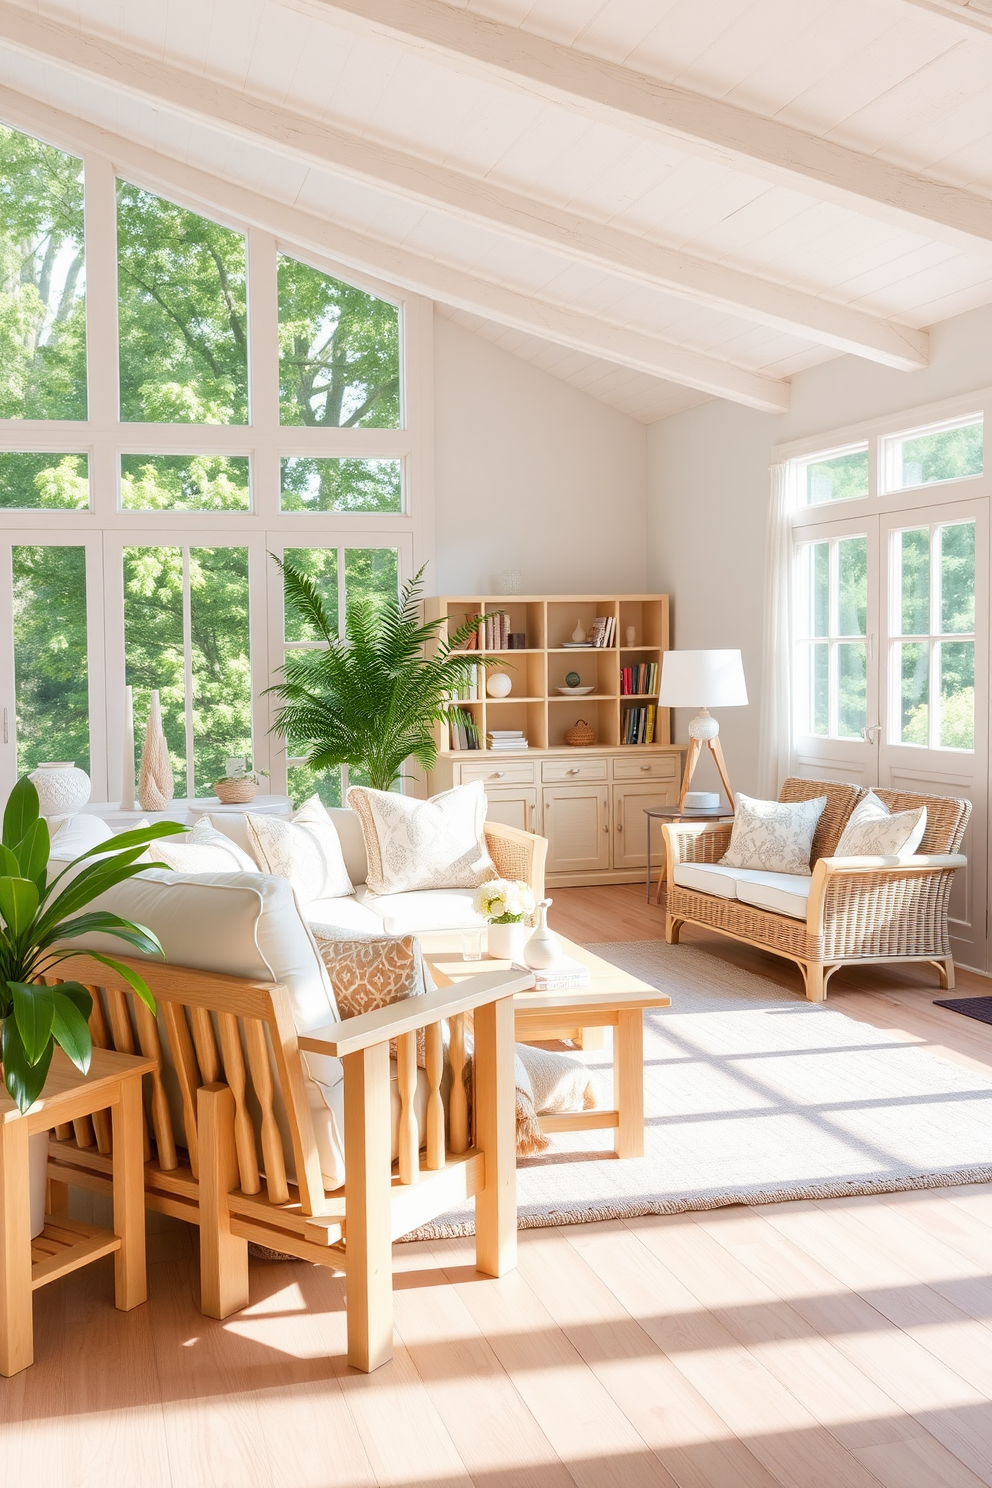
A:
x: 257, y: 407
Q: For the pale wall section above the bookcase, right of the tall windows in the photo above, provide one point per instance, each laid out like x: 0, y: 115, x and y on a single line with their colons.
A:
x: 532, y: 474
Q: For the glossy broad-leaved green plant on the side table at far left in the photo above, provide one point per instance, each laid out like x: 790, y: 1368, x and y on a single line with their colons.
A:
x: 36, y: 917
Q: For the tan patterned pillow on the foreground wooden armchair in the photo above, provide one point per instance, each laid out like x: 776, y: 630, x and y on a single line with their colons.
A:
x: 370, y: 972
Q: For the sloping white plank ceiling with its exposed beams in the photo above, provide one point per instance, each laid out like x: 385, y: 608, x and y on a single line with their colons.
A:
x: 655, y: 200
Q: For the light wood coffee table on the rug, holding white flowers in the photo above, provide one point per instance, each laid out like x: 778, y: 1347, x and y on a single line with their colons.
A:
x: 613, y: 1001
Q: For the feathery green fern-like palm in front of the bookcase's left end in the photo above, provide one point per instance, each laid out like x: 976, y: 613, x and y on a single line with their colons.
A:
x: 371, y: 700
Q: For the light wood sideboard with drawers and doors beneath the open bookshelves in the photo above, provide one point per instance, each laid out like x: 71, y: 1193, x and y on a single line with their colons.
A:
x: 588, y: 803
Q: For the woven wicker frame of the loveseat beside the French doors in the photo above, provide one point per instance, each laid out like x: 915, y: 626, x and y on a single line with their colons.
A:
x: 859, y: 908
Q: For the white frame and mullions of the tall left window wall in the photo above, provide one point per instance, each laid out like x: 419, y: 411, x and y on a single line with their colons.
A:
x: 105, y: 438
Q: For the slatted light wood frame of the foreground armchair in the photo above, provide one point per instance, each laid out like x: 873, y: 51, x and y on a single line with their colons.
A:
x: 243, y: 1166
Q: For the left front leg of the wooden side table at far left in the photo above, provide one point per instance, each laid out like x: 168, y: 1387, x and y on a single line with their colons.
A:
x: 17, y: 1324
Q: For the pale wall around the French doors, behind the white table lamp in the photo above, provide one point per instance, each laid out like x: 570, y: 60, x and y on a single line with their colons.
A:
x: 709, y: 493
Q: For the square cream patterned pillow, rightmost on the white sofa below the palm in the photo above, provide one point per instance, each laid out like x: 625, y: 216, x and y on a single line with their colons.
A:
x: 425, y: 844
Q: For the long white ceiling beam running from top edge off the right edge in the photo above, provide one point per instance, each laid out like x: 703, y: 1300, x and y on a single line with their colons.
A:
x: 722, y: 132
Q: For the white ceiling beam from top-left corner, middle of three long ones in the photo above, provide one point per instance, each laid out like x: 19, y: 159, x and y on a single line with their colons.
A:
x: 477, y: 202
